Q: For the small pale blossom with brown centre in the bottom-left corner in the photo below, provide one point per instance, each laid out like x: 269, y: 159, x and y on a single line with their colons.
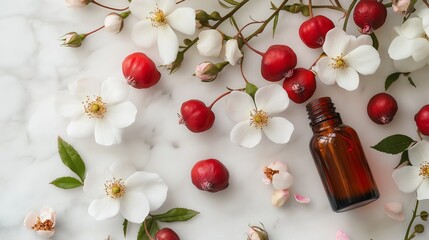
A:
x: 43, y: 223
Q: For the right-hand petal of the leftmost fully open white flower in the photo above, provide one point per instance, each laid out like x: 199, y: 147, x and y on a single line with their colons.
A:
x: 121, y: 115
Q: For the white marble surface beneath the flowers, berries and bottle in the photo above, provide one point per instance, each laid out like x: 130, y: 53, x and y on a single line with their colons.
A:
x: 34, y: 67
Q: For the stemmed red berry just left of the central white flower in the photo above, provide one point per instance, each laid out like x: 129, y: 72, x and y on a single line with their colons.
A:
x: 196, y: 116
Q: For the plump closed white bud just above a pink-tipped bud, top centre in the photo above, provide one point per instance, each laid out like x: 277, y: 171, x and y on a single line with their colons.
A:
x: 210, y: 43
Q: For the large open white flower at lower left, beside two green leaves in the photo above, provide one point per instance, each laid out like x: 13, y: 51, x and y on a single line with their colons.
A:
x: 119, y: 189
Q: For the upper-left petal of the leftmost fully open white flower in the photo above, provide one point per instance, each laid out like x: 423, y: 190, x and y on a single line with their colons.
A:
x: 84, y: 88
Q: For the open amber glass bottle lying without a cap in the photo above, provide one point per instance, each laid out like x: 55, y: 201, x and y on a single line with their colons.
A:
x: 339, y: 158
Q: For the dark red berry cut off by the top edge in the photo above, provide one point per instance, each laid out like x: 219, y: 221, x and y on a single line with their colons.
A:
x: 369, y: 15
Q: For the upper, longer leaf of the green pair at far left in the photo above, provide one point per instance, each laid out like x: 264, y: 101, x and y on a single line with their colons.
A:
x: 71, y: 158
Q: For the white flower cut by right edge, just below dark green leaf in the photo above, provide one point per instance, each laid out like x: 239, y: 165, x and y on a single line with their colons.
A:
x: 415, y: 177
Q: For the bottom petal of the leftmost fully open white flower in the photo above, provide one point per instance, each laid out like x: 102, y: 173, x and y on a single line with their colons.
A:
x: 105, y: 134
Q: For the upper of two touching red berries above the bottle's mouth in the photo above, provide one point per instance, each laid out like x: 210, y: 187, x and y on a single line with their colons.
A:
x: 277, y: 62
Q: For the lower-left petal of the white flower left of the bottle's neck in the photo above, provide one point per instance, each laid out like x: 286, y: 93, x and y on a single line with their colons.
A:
x: 245, y: 135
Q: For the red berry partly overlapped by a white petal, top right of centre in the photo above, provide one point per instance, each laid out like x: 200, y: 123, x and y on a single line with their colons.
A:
x: 313, y: 31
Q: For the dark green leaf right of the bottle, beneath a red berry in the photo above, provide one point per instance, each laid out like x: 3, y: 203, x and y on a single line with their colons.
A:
x: 394, y: 144
